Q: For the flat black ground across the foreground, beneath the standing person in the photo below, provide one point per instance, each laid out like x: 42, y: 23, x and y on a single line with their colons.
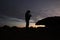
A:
x: 14, y: 33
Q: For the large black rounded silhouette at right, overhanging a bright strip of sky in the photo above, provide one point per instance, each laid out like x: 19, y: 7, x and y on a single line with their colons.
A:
x: 50, y: 22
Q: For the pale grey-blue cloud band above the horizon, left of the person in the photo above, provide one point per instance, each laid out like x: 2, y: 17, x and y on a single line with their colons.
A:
x: 5, y: 20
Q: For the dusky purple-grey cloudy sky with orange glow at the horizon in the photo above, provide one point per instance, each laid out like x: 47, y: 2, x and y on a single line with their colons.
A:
x: 12, y: 12
